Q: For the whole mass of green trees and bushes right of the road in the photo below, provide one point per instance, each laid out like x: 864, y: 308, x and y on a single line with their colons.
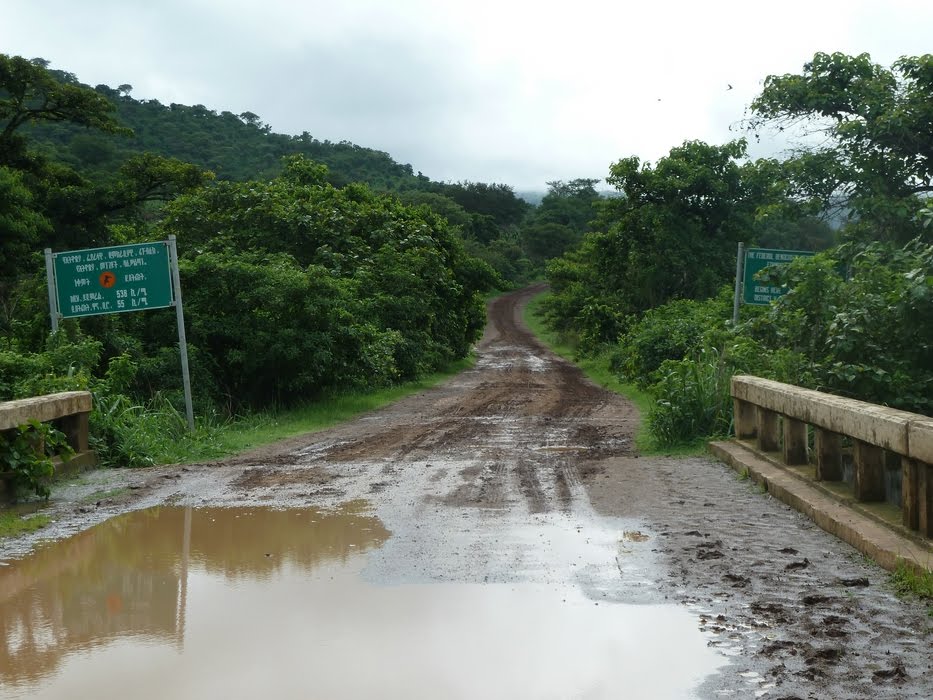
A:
x: 650, y: 289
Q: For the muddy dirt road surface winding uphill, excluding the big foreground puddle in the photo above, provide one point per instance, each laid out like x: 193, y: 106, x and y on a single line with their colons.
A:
x: 520, y: 470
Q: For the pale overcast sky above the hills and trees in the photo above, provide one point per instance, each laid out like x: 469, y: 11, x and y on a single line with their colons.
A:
x: 485, y: 90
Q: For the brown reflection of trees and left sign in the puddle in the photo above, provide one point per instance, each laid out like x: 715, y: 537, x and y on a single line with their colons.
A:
x: 129, y: 577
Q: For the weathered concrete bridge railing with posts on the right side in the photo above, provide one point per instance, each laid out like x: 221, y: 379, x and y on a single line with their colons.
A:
x: 776, y: 416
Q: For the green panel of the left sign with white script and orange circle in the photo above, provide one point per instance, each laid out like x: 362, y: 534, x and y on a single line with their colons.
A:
x: 113, y: 280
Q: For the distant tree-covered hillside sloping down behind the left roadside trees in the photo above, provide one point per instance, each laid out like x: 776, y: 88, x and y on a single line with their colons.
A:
x: 496, y: 225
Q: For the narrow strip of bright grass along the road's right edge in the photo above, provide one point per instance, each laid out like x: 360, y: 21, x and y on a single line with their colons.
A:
x: 597, y: 370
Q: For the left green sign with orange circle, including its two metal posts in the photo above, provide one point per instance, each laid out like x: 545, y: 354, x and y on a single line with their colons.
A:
x: 119, y: 279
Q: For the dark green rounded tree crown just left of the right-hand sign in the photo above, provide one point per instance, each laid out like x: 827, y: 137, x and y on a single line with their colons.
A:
x: 673, y: 233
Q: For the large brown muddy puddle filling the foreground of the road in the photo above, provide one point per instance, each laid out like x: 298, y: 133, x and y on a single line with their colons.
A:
x: 246, y: 602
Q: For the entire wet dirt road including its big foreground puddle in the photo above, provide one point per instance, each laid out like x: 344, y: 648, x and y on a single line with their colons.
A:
x: 516, y: 546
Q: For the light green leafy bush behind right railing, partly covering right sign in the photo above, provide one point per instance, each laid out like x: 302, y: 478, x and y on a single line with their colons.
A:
x: 867, y: 335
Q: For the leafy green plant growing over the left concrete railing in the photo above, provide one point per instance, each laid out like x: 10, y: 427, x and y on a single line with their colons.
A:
x: 26, y: 456
